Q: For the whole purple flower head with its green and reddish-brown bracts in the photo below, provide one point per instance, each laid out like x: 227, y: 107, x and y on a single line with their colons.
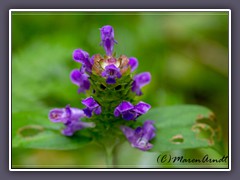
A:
x: 108, y: 79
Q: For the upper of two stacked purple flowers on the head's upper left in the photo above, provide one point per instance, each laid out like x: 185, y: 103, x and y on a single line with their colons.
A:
x: 82, y: 56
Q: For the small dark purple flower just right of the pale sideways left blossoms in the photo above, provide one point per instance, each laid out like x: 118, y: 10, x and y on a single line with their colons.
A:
x: 91, y: 106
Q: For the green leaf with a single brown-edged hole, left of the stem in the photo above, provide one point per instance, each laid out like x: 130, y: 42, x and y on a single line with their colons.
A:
x: 35, y: 130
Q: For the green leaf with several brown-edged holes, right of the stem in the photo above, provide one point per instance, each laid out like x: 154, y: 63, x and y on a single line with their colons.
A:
x: 183, y: 127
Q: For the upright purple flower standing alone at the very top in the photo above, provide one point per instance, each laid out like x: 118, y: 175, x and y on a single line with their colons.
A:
x: 108, y: 41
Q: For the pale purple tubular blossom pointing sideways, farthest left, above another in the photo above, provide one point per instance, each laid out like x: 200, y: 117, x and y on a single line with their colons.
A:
x: 65, y: 114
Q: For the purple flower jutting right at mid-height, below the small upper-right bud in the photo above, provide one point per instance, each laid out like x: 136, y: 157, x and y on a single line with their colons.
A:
x: 140, y: 80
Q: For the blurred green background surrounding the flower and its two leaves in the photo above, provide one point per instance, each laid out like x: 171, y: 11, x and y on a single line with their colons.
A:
x: 186, y: 53
